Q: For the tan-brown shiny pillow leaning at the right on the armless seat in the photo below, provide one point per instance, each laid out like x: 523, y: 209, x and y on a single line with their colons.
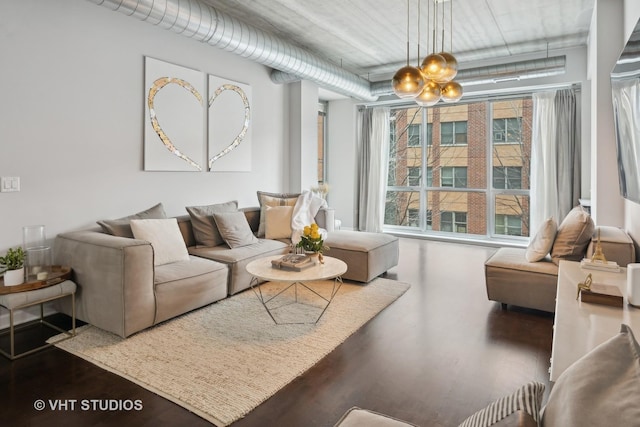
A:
x: 573, y: 236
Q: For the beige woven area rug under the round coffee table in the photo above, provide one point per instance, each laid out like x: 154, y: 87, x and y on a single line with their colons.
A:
x: 223, y: 360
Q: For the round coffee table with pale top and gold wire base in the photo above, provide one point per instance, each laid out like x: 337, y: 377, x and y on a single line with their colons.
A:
x: 303, y: 284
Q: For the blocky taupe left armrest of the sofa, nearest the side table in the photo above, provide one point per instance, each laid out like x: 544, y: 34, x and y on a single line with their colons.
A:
x: 114, y: 276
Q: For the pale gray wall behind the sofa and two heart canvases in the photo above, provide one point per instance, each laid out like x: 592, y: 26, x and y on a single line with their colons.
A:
x: 72, y: 115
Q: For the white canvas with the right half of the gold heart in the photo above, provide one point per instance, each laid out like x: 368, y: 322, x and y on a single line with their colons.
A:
x: 229, y: 126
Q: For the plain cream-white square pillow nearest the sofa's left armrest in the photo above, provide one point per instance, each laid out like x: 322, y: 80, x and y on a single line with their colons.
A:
x: 165, y: 238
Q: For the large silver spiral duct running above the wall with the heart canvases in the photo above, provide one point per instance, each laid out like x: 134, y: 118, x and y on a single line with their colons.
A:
x: 194, y: 19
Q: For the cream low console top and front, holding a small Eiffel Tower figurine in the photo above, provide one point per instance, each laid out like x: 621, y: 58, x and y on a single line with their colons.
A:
x: 579, y: 326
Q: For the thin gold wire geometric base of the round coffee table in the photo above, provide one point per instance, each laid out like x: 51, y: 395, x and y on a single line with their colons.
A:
x: 281, y: 299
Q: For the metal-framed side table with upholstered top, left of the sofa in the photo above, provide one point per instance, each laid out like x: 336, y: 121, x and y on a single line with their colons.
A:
x: 22, y: 299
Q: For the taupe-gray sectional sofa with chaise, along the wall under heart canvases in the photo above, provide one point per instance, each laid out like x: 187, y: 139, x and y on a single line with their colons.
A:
x: 121, y: 290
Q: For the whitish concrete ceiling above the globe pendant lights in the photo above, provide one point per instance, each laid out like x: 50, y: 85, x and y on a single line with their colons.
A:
x: 369, y: 37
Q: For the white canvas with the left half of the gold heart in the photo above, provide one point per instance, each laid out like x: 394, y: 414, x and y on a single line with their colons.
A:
x: 174, y: 117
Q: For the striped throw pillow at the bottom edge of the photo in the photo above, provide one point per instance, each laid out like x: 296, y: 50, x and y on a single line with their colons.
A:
x: 526, y: 399
